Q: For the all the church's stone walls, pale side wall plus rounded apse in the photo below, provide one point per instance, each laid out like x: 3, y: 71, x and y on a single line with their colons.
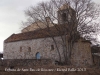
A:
x: 27, y: 49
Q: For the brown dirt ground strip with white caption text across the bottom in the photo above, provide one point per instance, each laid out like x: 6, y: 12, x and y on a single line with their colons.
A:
x: 50, y: 70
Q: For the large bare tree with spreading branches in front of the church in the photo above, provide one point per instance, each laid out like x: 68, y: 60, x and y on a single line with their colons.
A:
x: 77, y: 19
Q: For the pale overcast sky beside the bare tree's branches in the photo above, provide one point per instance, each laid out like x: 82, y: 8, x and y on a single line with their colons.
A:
x: 12, y: 14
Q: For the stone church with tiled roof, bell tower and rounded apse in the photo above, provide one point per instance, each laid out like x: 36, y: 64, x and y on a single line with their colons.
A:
x: 35, y: 43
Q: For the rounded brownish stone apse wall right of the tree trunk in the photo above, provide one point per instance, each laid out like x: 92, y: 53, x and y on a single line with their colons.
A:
x: 81, y: 53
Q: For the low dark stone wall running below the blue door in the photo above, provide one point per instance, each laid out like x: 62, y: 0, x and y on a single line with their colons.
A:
x: 24, y: 62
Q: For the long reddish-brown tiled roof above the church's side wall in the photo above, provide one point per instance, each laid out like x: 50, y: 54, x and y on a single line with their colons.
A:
x: 41, y: 33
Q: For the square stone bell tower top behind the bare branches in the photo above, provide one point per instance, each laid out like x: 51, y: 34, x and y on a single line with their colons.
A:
x: 66, y: 15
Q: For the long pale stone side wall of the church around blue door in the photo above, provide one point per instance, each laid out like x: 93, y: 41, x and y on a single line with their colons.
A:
x: 27, y: 49
